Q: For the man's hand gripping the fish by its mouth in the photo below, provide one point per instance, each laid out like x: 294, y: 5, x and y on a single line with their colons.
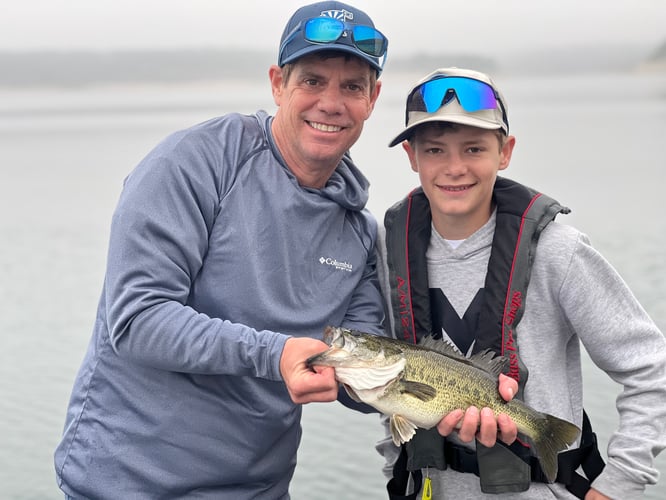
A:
x: 303, y: 384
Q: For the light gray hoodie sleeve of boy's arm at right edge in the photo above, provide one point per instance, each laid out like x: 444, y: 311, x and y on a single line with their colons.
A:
x: 624, y: 342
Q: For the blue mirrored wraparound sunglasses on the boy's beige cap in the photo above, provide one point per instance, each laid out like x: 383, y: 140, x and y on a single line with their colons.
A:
x: 473, y: 95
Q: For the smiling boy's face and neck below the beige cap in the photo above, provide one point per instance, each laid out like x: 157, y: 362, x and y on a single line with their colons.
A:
x: 457, y: 167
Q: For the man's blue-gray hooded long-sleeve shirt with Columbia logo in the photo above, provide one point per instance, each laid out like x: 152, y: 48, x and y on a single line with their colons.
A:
x: 216, y: 256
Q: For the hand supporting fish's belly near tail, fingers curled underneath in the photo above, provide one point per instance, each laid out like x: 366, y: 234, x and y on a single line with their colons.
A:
x: 482, y: 424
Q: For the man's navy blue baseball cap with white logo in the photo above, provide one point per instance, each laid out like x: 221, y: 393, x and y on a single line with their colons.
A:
x: 293, y: 45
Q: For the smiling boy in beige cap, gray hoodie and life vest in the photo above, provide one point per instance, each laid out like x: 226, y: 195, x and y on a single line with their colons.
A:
x: 460, y: 253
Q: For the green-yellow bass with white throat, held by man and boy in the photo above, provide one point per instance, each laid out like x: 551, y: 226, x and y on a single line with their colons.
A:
x: 416, y: 385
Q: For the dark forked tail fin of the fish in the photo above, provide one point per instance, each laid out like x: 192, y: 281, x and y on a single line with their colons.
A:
x: 553, y: 436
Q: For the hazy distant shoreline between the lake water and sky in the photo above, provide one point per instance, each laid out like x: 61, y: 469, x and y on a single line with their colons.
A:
x: 36, y: 69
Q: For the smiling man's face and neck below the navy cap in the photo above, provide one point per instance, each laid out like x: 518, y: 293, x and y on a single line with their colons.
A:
x: 322, y: 108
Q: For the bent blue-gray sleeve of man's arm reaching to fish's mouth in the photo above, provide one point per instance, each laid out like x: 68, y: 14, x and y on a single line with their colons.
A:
x: 158, y: 241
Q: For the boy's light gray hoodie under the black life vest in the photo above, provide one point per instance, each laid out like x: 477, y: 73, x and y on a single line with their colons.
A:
x: 574, y: 297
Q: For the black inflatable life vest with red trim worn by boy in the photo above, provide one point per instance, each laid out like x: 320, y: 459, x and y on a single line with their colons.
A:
x: 521, y: 216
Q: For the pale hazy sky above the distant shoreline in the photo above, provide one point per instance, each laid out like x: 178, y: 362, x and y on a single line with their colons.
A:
x: 475, y: 26
